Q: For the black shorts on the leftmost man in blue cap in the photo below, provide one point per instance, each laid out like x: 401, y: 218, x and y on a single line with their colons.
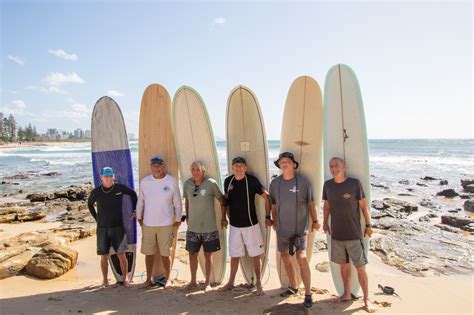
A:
x: 114, y: 237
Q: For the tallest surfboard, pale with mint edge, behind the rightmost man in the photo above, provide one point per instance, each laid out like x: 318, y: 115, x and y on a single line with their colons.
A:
x: 345, y: 136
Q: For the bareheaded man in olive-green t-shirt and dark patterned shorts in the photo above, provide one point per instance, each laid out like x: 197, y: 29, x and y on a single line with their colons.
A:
x: 199, y: 193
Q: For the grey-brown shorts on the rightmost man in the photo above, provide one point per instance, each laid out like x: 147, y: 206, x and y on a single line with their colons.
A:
x: 341, y: 251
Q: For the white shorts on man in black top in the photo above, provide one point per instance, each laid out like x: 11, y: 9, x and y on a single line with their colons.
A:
x: 250, y: 238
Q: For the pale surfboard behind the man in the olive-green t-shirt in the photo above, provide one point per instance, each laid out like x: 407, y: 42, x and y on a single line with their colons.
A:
x: 195, y: 142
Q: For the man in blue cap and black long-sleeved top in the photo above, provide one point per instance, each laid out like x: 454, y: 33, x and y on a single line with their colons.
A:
x: 110, y: 229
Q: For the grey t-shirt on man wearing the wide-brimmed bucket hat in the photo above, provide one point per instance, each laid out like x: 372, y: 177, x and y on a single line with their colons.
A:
x: 291, y: 199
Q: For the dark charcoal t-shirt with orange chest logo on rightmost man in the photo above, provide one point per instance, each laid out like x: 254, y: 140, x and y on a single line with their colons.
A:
x: 344, y: 209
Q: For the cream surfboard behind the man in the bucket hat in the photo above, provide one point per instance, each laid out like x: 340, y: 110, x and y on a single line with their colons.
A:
x: 302, y: 134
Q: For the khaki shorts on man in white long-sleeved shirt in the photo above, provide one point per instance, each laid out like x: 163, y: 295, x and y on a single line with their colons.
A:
x: 157, y: 237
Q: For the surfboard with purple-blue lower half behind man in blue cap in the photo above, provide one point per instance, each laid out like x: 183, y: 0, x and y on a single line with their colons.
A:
x: 109, y: 146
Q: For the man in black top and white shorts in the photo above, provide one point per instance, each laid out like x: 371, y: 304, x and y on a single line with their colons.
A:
x: 240, y: 190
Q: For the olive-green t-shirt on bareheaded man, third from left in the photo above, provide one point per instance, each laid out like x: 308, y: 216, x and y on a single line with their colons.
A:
x: 202, y: 215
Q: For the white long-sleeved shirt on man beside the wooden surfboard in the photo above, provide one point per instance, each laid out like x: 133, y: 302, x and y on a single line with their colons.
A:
x: 159, y: 201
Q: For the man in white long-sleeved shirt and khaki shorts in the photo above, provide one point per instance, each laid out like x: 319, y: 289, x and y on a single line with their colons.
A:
x: 159, y: 209
